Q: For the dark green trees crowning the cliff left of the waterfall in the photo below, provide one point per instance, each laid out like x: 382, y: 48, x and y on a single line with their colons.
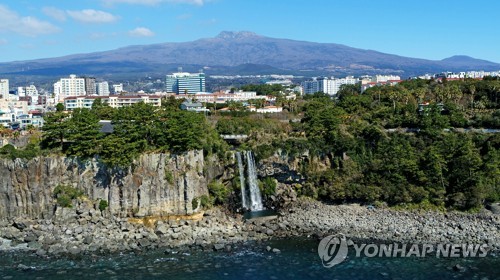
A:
x: 138, y: 129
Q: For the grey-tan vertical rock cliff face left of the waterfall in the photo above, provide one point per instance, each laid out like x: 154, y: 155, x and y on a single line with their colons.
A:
x: 156, y: 184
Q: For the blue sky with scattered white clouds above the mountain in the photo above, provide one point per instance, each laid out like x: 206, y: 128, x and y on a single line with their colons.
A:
x: 31, y: 29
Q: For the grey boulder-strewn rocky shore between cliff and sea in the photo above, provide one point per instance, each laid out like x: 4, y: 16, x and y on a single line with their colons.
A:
x: 85, y: 229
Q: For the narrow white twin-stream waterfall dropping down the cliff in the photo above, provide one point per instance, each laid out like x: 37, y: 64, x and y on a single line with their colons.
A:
x: 251, y: 198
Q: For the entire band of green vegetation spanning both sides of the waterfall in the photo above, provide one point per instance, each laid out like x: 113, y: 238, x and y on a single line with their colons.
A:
x: 352, y: 148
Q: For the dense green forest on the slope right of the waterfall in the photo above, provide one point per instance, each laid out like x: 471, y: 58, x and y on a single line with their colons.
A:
x: 428, y: 167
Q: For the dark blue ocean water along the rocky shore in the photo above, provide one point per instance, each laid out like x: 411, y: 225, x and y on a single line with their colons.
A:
x: 298, y: 259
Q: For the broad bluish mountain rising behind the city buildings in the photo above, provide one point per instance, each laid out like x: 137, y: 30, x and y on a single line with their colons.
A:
x: 241, y: 53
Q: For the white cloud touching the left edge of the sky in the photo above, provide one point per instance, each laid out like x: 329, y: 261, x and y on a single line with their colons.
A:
x: 10, y: 21
